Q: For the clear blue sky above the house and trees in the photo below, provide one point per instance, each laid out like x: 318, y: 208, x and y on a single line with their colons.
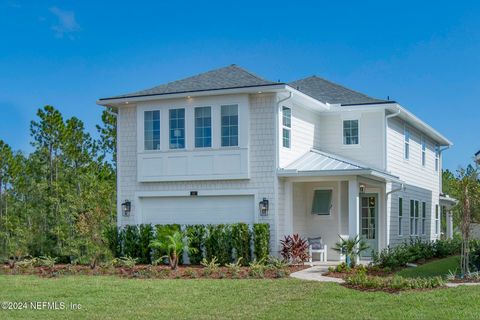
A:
x: 424, y: 54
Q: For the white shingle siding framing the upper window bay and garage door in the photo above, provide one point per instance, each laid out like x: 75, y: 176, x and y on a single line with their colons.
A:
x: 261, y: 146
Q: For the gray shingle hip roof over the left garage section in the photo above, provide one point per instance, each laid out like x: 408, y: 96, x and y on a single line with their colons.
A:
x: 224, y: 78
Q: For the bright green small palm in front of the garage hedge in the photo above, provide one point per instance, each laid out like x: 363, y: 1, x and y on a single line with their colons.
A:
x: 174, y: 245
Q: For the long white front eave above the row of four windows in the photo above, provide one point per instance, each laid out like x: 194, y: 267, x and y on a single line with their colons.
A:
x: 221, y: 91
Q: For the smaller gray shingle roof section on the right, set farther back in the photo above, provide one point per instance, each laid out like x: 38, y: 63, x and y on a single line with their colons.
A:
x: 329, y: 92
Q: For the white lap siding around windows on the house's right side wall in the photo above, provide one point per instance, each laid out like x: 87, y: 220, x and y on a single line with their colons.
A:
x: 422, y: 182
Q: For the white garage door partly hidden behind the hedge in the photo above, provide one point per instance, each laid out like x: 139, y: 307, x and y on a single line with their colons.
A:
x: 197, y: 210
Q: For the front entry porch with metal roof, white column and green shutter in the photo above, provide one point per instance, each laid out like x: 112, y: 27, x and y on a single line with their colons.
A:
x: 330, y: 198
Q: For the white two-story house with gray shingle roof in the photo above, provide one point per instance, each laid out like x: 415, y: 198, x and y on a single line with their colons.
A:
x: 309, y: 157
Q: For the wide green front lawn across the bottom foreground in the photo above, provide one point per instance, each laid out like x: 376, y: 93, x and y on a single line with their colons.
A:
x: 104, y: 297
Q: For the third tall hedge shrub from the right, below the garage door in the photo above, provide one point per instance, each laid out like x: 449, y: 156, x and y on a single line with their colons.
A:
x: 218, y: 243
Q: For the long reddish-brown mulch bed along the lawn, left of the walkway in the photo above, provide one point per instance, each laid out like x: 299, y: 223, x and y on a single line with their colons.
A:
x: 149, y: 272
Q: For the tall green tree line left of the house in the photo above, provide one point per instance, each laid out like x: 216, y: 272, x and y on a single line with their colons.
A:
x: 57, y: 200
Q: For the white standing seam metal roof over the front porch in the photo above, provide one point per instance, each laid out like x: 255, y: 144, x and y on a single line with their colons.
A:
x: 319, y: 163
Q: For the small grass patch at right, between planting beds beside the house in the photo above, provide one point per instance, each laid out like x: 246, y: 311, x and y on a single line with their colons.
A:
x: 439, y: 267
